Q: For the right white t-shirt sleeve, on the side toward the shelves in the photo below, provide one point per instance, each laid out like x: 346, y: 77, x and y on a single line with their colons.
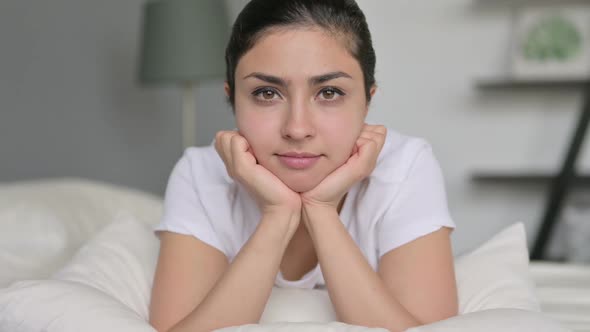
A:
x: 419, y: 207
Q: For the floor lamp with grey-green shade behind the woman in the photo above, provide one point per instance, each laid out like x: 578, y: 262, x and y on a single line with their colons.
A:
x: 182, y: 42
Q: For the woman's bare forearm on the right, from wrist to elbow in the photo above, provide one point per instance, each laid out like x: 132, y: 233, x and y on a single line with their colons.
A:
x: 359, y: 296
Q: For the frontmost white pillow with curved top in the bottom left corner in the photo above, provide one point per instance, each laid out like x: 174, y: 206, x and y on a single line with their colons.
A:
x: 64, y: 306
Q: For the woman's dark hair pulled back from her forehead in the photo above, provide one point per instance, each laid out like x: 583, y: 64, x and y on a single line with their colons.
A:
x: 340, y: 17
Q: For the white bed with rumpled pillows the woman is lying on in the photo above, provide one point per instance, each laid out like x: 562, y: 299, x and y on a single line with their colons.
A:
x: 77, y: 254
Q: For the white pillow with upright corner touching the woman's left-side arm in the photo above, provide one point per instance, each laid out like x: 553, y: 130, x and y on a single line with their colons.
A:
x: 120, y: 261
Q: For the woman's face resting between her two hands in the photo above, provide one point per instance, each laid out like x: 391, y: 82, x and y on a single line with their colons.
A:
x: 300, y: 103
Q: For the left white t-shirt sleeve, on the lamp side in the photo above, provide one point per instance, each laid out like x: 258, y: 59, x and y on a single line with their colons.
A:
x: 183, y: 209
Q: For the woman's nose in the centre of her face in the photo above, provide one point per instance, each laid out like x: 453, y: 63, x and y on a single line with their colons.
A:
x: 298, y: 124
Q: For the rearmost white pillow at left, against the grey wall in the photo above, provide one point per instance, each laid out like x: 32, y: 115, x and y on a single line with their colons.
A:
x: 45, y: 221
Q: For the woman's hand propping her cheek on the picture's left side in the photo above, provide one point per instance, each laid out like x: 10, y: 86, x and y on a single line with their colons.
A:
x: 271, y: 194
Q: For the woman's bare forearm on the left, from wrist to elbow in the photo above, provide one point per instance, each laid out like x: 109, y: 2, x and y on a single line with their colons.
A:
x: 240, y: 295
